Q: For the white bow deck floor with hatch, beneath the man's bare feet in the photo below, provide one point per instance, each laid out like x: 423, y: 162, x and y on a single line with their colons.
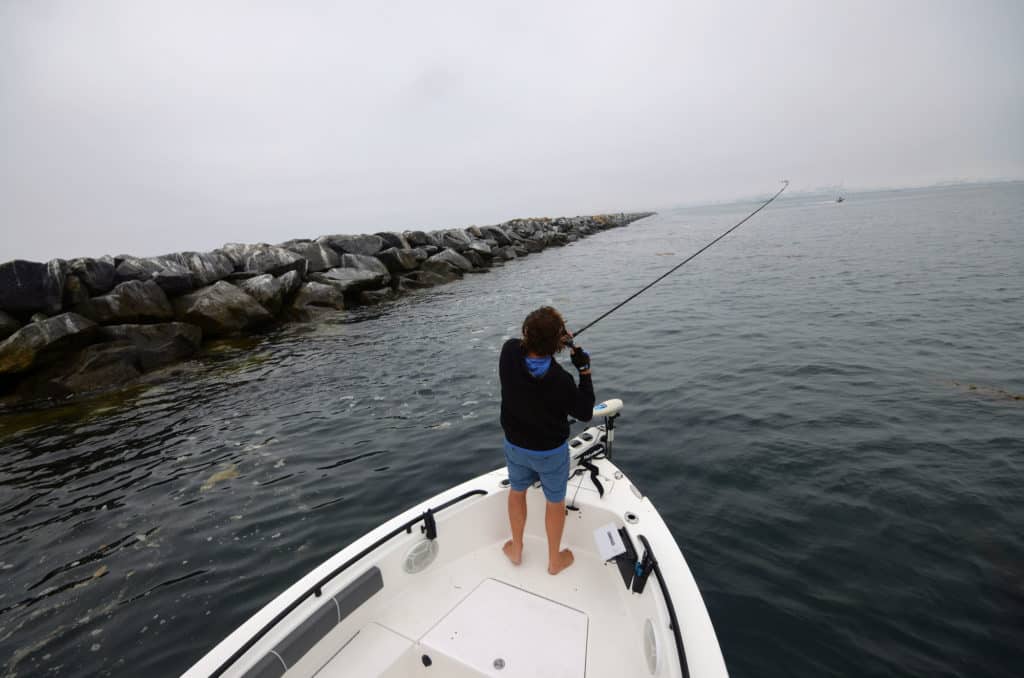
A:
x: 480, y: 608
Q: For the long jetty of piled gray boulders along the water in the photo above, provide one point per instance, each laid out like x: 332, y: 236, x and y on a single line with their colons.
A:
x: 71, y: 327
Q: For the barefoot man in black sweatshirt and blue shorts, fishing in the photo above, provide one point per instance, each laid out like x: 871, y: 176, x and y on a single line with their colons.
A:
x: 538, y: 397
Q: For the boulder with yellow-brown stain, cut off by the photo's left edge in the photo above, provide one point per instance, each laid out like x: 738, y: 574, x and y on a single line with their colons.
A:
x: 39, y: 343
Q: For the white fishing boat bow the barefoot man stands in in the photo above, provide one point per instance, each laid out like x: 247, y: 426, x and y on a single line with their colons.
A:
x: 431, y: 594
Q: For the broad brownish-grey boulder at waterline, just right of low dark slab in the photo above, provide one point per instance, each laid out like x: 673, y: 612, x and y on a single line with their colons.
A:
x: 221, y: 310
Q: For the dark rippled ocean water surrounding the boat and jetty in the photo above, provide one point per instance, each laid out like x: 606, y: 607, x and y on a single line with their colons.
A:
x: 827, y: 408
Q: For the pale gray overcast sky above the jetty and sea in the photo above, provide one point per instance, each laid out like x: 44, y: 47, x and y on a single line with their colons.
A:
x: 149, y: 128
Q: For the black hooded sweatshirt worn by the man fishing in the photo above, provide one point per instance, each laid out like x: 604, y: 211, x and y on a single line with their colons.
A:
x: 535, y: 410
